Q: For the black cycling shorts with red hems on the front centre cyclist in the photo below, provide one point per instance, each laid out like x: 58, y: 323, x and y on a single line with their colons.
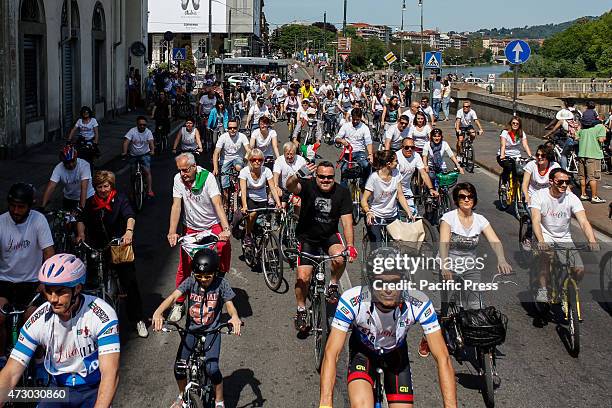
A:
x: 397, y: 377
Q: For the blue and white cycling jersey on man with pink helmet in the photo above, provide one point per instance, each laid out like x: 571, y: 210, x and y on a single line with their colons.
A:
x: 71, y: 348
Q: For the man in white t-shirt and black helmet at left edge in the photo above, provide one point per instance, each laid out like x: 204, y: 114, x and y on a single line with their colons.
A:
x: 25, y: 243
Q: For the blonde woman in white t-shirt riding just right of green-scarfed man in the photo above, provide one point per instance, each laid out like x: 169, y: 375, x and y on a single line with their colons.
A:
x: 253, y: 182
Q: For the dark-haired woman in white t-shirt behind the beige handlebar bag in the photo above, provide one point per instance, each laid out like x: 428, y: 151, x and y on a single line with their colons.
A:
x: 382, y: 192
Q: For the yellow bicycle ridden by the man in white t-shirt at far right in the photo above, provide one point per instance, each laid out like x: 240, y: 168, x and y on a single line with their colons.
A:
x: 566, y: 292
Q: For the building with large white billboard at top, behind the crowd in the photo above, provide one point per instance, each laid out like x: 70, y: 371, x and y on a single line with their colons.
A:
x: 240, y: 21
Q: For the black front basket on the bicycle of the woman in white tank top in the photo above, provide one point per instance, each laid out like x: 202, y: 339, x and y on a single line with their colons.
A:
x: 483, y: 327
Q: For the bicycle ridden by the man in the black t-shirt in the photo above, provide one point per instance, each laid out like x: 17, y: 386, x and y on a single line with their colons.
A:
x: 317, y: 310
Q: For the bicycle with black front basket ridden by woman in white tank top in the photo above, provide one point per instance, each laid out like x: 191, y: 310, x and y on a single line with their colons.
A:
x: 460, y: 333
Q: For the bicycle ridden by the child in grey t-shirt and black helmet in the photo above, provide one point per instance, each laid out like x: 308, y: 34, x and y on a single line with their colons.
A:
x: 200, y: 391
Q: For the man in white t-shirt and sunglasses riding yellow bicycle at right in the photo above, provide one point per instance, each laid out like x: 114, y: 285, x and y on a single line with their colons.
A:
x: 551, y: 215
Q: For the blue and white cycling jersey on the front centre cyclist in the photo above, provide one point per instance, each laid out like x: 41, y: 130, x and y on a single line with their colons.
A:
x: 380, y: 331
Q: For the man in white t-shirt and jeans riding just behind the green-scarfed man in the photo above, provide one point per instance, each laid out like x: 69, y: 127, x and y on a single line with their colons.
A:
x: 231, y: 149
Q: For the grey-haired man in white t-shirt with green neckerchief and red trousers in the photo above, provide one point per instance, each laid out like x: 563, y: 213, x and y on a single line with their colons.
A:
x: 195, y: 189
